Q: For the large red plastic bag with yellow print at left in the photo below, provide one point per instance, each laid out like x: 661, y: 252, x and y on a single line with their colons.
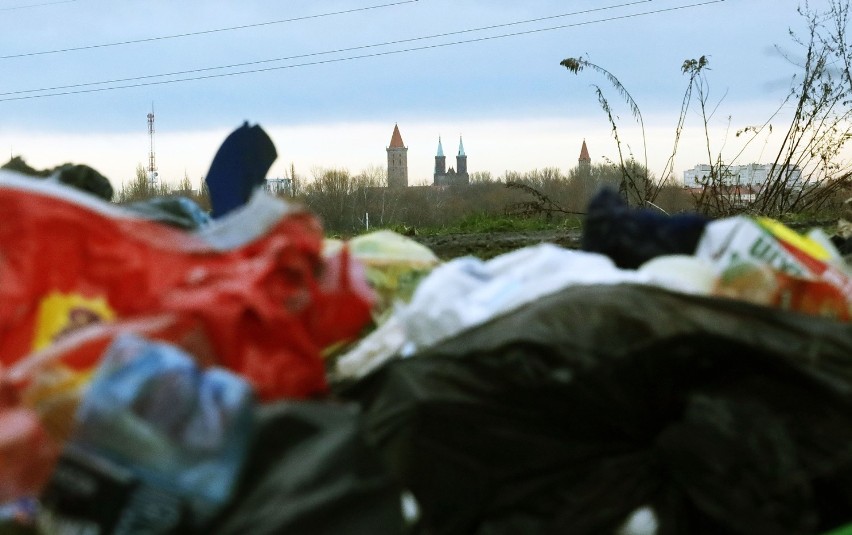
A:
x: 245, y: 291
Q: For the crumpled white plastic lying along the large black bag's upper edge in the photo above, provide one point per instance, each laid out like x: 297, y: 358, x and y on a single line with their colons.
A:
x: 467, y: 292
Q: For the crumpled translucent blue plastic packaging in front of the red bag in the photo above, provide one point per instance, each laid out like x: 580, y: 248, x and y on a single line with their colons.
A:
x: 154, y: 433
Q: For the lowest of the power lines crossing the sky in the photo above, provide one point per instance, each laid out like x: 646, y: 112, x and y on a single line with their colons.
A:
x: 350, y: 58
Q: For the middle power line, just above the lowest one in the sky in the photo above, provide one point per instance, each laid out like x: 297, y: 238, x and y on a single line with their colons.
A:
x: 314, y: 54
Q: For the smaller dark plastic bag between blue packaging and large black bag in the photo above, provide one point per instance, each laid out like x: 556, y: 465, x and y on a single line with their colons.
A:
x: 310, y: 472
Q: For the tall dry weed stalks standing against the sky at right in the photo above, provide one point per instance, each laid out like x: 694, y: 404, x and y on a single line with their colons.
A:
x: 807, y: 171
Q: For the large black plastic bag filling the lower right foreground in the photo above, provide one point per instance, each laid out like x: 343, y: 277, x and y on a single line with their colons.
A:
x: 568, y: 415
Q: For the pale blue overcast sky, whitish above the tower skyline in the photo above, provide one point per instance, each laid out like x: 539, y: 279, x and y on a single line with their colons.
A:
x: 328, y: 80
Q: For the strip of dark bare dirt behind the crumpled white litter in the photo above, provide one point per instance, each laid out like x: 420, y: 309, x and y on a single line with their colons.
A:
x: 491, y: 244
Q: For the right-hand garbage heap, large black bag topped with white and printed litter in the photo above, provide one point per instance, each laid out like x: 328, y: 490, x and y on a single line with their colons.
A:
x: 691, y: 375
